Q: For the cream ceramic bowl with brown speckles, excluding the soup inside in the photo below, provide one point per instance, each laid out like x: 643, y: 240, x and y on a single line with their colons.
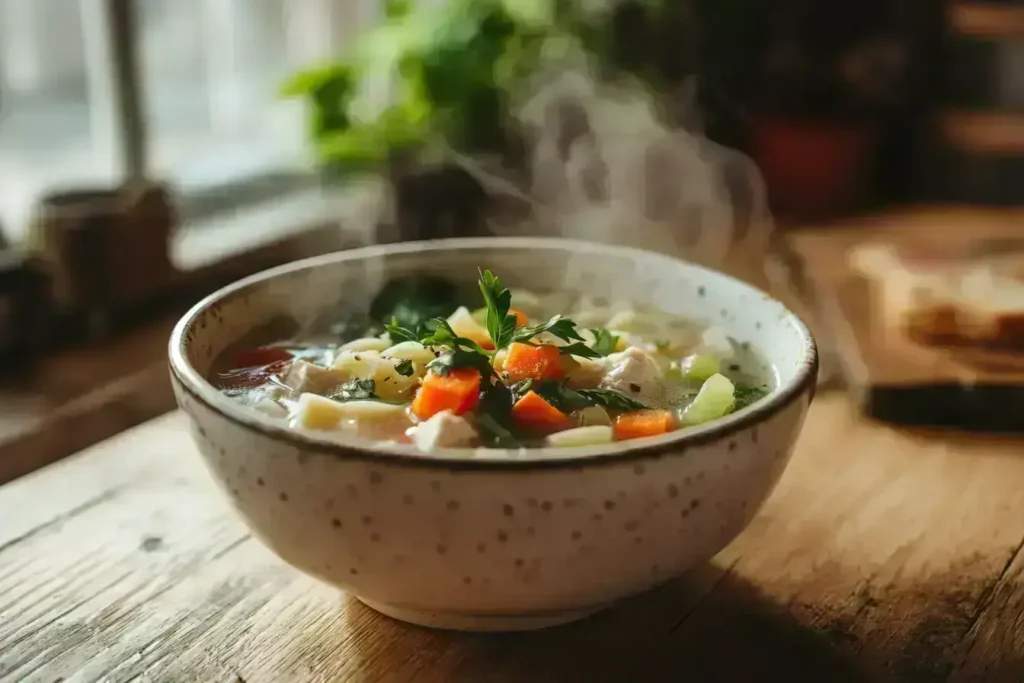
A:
x: 493, y: 544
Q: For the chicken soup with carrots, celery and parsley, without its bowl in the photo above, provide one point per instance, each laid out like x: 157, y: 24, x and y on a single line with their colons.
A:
x: 442, y: 373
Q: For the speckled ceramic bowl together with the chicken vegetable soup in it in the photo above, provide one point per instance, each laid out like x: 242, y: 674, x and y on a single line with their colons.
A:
x: 494, y: 434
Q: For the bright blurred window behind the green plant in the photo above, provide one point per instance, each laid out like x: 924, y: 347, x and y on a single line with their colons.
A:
x: 210, y: 121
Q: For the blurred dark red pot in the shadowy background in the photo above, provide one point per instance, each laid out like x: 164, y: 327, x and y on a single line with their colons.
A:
x: 813, y: 168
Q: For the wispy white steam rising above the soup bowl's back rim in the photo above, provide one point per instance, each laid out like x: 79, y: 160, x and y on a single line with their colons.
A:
x: 604, y: 165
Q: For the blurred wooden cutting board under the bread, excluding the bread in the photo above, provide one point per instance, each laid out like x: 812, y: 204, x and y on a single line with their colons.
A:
x: 898, y: 378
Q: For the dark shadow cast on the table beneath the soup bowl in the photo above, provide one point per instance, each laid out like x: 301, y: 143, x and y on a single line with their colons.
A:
x: 670, y: 634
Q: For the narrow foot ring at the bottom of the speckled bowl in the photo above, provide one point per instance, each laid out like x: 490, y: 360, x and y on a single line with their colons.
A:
x: 482, y: 623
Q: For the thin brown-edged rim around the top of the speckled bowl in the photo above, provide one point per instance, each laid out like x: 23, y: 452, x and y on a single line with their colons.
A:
x: 191, y: 381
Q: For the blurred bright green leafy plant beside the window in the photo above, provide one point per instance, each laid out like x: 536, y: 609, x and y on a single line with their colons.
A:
x: 450, y: 72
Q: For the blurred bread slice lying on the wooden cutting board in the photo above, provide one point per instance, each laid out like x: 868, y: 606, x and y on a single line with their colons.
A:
x: 938, y: 300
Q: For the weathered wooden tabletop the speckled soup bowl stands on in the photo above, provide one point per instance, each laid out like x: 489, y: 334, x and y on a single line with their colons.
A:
x: 882, y: 557
